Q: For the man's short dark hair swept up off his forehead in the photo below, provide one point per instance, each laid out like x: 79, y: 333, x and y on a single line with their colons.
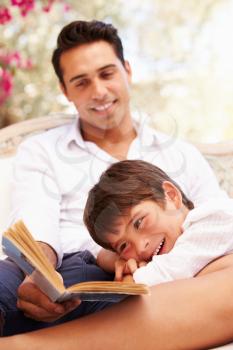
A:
x: 84, y: 32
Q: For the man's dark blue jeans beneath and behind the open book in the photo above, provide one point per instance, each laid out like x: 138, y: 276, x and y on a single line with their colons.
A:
x: 75, y: 268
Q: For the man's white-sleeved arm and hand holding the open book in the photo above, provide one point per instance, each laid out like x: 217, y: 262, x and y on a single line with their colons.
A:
x: 36, y: 200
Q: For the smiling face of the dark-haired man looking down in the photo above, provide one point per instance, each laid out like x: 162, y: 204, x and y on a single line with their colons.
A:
x: 96, y: 81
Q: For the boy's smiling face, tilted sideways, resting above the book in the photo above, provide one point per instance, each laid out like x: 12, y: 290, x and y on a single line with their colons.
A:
x: 148, y: 229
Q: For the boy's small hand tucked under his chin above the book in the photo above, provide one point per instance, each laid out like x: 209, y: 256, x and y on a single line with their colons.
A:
x: 123, y: 267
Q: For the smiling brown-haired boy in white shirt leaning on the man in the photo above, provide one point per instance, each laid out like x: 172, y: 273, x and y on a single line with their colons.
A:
x: 139, y: 212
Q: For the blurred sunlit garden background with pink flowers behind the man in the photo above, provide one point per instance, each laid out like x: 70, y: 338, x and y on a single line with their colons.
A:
x: 181, y: 53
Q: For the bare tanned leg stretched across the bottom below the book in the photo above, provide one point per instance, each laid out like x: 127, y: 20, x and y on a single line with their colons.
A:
x: 187, y: 314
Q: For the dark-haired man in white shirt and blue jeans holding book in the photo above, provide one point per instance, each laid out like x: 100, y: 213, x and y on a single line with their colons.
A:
x: 55, y: 170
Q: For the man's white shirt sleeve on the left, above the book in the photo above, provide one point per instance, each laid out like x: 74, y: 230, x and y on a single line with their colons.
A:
x: 35, y: 194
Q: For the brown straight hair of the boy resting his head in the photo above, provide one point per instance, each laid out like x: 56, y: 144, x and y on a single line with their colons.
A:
x: 122, y: 186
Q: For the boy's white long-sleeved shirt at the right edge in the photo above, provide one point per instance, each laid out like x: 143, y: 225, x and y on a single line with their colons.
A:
x: 208, y: 234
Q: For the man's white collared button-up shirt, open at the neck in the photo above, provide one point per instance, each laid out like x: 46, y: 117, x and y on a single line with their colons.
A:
x: 54, y: 171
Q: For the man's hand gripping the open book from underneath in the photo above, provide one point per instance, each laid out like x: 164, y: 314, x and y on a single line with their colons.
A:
x: 36, y: 305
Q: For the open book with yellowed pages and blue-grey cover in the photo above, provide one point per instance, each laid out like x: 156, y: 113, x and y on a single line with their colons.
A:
x: 21, y: 247
